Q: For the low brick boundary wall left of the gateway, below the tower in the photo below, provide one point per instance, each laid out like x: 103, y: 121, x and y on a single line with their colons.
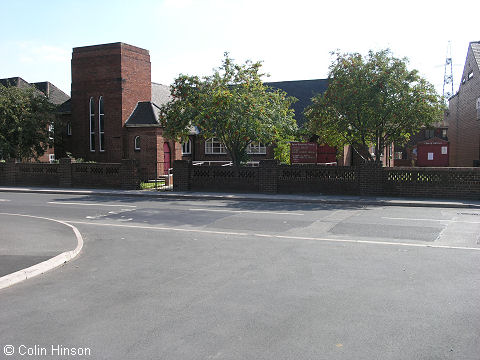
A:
x: 67, y: 174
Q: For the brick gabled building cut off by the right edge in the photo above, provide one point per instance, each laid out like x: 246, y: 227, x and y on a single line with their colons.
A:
x: 463, y: 127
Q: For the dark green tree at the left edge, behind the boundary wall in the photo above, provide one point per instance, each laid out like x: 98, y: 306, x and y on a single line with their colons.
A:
x: 25, y: 116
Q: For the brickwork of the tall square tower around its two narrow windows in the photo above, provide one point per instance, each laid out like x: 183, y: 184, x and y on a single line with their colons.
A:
x: 118, y: 72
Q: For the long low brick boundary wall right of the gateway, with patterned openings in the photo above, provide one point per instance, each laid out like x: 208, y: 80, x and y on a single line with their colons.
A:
x: 369, y: 179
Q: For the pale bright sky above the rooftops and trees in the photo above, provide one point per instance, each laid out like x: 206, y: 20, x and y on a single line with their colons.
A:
x: 293, y: 38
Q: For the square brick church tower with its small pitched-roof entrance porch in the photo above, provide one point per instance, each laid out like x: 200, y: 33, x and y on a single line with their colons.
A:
x: 113, y: 110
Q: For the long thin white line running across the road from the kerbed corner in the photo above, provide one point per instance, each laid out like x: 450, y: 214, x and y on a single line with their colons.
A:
x: 284, y: 237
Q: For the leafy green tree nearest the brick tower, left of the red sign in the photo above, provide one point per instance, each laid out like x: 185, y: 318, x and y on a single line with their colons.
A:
x: 232, y: 105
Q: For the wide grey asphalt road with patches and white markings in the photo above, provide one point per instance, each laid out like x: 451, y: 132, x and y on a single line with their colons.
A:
x: 248, y: 280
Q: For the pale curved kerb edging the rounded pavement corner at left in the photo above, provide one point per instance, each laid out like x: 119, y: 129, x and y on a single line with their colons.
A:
x: 40, y: 268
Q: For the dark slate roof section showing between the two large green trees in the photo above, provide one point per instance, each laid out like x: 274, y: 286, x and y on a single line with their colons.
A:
x: 304, y: 91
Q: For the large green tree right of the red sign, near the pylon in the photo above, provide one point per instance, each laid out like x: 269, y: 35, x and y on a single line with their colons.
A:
x: 373, y: 100
